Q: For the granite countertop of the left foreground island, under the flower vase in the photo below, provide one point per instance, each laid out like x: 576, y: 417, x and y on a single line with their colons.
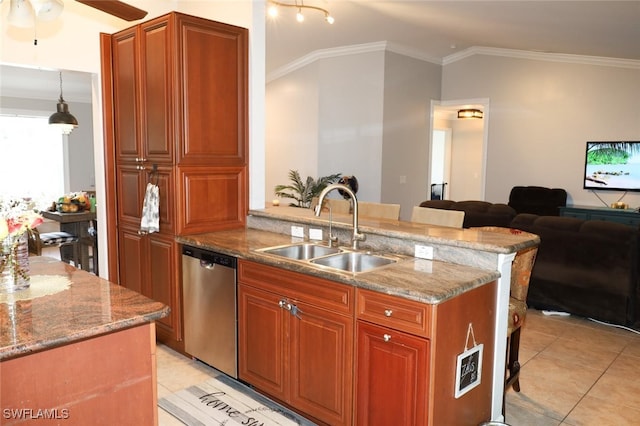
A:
x: 79, y: 306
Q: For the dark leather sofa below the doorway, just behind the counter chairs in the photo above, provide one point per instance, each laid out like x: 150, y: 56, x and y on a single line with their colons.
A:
x: 476, y: 213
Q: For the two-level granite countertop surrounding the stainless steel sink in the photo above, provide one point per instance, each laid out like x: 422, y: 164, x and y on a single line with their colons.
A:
x: 473, y: 251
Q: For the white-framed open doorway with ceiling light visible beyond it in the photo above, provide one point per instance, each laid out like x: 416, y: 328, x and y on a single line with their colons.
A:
x: 463, y: 168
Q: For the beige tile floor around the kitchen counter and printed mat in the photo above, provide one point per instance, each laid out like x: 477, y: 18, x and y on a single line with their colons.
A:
x: 574, y: 372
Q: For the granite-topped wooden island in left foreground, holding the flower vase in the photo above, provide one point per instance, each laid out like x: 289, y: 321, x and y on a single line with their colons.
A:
x: 76, y: 347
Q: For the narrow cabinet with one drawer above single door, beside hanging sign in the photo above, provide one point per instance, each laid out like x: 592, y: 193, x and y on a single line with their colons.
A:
x: 393, y: 360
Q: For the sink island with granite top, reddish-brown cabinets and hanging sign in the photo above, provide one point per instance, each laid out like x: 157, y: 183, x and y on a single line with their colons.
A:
x: 390, y: 336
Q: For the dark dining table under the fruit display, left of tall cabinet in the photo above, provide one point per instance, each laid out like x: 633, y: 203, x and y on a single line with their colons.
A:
x: 83, y: 225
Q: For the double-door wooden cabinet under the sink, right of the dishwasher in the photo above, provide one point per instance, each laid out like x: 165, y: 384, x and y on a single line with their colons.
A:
x: 295, y: 336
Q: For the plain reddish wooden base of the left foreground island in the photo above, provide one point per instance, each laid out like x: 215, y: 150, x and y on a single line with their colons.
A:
x: 104, y: 380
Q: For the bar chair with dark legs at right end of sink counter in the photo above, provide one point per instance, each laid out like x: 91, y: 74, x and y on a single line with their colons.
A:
x: 519, y: 287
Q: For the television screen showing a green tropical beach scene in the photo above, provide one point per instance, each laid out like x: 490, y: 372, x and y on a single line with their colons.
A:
x: 612, y: 166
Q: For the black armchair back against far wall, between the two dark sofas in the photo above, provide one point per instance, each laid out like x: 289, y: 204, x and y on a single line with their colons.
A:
x: 537, y: 200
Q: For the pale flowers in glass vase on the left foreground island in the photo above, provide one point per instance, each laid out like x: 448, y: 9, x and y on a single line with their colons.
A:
x: 16, y: 218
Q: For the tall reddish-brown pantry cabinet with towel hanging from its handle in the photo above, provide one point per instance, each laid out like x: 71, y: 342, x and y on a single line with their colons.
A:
x: 175, y: 113
